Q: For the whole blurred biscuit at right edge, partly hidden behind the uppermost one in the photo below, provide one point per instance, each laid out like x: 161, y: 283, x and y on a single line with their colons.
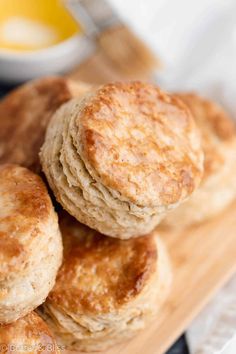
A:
x: 218, y: 187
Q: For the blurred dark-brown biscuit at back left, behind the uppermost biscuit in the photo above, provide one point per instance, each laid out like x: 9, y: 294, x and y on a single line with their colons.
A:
x: 24, y: 116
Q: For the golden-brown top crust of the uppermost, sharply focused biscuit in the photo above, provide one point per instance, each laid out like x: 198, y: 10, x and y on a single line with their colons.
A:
x: 140, y: 142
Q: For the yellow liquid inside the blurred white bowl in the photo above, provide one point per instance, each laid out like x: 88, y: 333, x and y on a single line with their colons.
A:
x: 27, y: 25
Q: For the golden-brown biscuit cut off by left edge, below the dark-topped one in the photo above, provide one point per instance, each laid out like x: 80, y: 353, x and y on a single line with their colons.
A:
x: 30, y: 242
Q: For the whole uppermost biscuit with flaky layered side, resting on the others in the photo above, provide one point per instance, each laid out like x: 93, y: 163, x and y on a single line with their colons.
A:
x: 121, y: 156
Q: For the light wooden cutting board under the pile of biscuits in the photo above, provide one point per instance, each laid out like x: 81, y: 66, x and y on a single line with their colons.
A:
x: 203, y: 259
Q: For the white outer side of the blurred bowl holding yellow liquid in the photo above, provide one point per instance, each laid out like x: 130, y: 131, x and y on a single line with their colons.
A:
x: 16, y: 67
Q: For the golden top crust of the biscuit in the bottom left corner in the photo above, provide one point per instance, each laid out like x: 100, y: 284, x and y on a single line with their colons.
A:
x: 27, y: 335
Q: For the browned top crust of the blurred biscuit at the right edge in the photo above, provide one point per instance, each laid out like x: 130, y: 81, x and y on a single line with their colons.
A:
x: 218, y: 130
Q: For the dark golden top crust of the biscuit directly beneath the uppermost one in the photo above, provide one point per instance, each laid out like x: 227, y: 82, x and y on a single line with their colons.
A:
x: 99, y: 274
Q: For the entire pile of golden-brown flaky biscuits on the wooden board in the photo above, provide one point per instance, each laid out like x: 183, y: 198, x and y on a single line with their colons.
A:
x: 119, y: 160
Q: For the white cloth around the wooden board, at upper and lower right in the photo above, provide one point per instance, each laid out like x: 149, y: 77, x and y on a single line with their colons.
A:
x: 196, y: 41
